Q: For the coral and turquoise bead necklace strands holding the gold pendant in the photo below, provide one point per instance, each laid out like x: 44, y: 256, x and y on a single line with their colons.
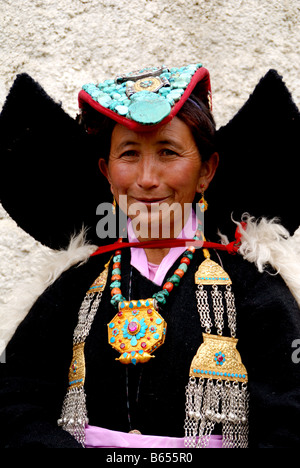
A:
x: 168, y: 286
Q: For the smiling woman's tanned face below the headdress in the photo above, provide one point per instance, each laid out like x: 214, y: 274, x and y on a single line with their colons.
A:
x: 161, y: 168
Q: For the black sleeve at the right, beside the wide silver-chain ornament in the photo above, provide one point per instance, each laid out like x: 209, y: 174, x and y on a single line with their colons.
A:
x: 268, y: 325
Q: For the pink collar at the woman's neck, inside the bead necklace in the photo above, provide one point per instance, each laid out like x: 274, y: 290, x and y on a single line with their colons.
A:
x: 139, y: 258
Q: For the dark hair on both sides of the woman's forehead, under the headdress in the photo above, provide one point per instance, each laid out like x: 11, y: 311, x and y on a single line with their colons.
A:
x: 193, y: 113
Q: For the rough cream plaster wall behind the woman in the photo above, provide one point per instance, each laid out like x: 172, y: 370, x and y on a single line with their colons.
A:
x: 67, y: 43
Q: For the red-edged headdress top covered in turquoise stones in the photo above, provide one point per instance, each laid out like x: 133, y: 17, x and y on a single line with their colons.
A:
x: 148, y: 97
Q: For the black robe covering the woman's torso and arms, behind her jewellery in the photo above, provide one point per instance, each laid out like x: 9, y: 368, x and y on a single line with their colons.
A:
x: 149, y: 397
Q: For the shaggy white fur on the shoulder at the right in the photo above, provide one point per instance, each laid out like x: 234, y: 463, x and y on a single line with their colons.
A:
x: 268, y: 242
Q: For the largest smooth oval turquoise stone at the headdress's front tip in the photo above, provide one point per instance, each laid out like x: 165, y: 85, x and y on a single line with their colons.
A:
x: 149, y: 108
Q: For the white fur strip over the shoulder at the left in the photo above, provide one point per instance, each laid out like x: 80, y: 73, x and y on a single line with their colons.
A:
x: 51, y: 265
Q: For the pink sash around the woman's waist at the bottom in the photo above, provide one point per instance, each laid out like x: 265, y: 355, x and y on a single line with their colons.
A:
x: 98, y: 437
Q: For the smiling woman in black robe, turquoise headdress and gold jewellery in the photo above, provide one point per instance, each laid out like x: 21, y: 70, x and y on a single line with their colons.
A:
x: 154, y: 346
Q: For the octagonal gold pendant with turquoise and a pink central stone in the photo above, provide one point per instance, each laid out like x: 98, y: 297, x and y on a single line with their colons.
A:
x: 137, y: 330
